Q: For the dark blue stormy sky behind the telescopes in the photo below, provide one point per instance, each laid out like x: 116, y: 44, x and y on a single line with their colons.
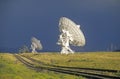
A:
x: 22, y: 19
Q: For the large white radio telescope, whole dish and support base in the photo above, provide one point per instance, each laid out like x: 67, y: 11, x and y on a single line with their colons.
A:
x: 70, y: 34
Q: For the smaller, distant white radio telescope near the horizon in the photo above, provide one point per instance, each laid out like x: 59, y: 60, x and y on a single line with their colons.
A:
x: 36, y: 44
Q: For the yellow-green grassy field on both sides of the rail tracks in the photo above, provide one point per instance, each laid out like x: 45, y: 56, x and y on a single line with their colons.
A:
x: 10, y: 68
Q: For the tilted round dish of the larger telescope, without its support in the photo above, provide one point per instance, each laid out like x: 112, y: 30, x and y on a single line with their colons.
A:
x: 74, y: 30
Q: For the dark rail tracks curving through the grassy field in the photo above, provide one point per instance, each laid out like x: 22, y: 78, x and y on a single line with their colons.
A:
x: 89, y: 73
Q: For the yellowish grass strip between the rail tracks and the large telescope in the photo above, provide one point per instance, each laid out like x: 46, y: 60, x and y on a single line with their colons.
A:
x: 101, y: 60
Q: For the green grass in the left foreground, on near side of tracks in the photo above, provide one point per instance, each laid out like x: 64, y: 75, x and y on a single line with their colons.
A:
x: 10, y: 68
